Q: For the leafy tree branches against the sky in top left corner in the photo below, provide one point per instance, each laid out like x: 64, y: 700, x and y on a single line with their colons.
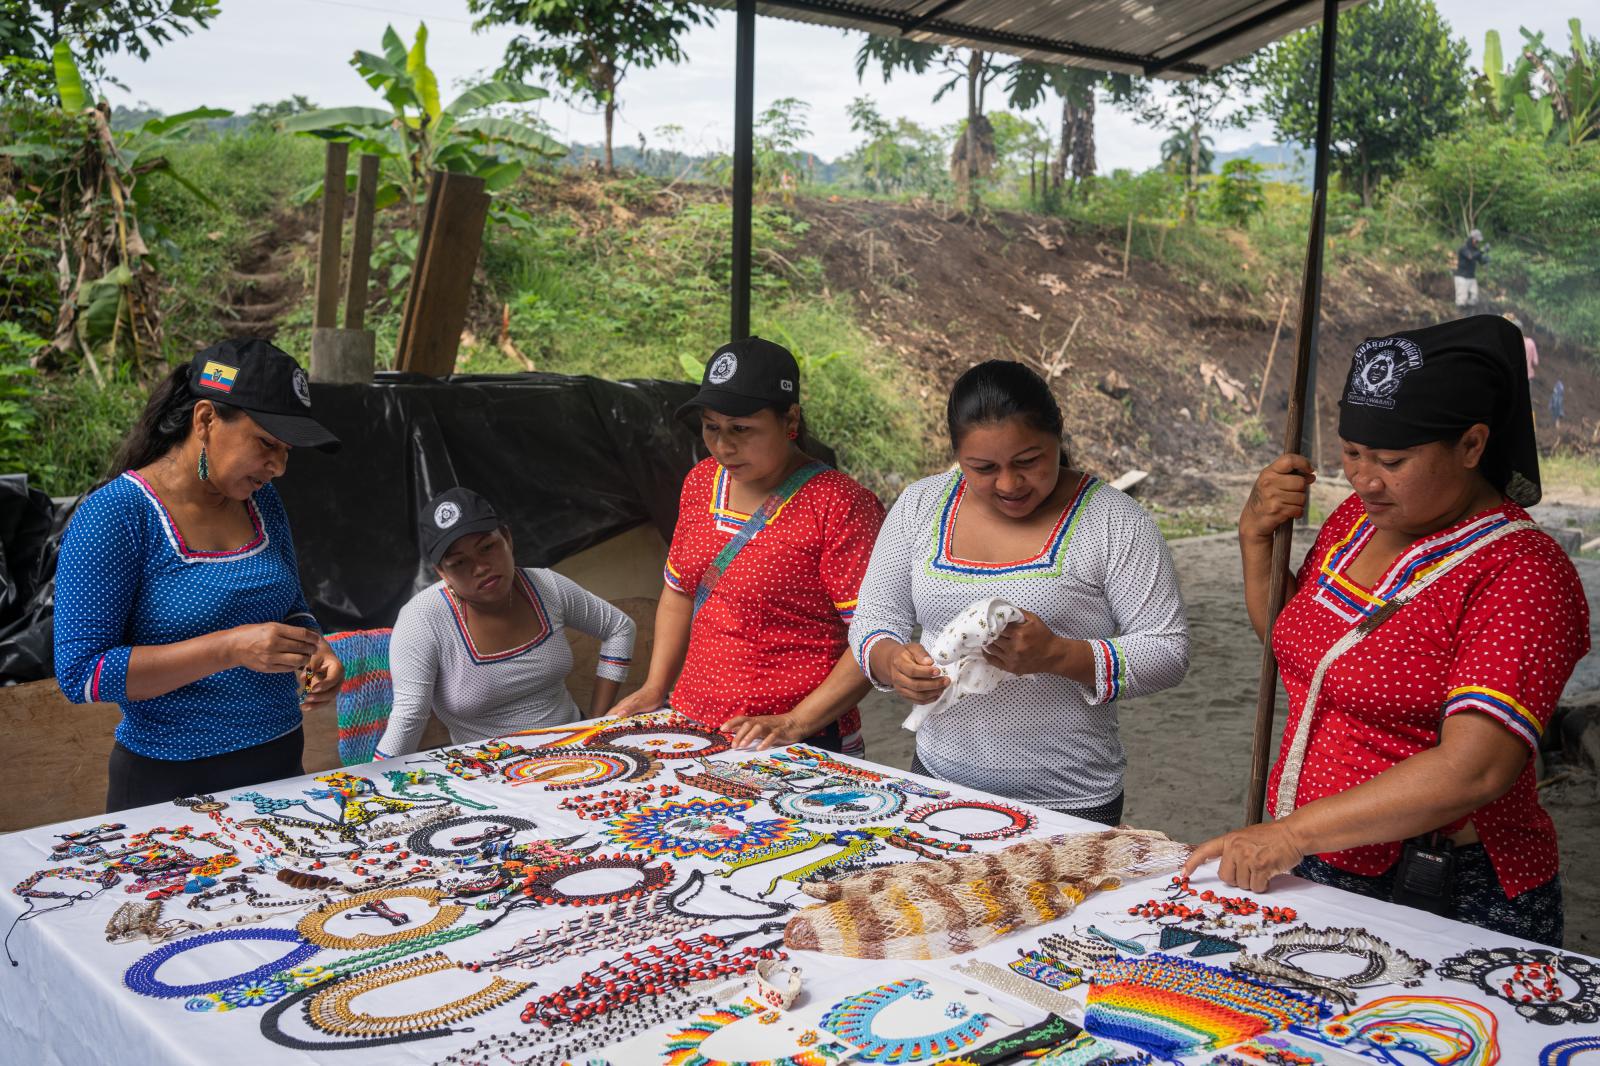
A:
x: 95, y: 31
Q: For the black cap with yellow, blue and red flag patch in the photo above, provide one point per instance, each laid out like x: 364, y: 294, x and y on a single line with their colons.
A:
x: 268, y: 385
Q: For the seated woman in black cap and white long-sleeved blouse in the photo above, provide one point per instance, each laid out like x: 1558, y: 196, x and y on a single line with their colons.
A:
x: 484, y: 647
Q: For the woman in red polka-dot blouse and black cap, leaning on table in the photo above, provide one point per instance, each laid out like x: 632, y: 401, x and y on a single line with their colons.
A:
x: 766, y: 655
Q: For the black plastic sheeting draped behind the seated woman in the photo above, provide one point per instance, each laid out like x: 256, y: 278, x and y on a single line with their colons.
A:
x: 570, y: 463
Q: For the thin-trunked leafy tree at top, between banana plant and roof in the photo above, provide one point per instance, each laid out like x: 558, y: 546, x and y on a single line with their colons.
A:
x: 591, y: 46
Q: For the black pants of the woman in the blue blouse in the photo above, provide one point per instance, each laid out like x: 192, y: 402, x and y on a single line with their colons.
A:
x: 138, y: 780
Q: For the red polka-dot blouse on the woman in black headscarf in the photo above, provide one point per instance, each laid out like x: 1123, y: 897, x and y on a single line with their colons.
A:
x: 1500, y: 636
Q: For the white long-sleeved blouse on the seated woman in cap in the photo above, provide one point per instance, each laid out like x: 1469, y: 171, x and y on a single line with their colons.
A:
x: 436, y: 667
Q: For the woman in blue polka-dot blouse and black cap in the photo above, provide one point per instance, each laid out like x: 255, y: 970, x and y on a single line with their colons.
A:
x: 178, y: 595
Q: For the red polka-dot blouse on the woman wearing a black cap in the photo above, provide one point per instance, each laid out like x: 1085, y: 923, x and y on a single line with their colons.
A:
x: 780, y: 617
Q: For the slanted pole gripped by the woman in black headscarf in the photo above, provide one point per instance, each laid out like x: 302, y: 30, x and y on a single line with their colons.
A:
x: 1295, y: 425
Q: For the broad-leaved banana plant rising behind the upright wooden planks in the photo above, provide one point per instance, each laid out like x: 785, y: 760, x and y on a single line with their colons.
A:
x: 418, y: 134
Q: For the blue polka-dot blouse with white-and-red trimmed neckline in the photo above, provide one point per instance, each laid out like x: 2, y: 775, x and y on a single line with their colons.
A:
x: 127, y: 579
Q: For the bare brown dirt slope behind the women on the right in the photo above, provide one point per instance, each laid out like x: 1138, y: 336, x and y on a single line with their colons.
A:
x: 946, y: 294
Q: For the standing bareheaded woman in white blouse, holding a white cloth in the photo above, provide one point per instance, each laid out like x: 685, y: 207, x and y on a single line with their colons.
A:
x: 1102, y: 614
